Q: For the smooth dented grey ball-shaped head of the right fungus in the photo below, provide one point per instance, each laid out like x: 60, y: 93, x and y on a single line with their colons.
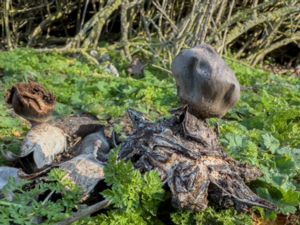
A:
x: 204, y: 82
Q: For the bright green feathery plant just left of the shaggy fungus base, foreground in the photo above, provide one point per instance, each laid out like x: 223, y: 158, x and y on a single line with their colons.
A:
x: 135, y: 197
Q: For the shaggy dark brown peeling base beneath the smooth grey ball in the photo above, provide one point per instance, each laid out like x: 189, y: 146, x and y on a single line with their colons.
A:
x: 186, y: 152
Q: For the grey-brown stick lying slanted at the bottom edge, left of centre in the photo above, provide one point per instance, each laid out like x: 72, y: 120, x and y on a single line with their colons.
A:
x: 86, y: 212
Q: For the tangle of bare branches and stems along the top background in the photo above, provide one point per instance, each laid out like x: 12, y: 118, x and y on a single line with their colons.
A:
x: 255, y: 30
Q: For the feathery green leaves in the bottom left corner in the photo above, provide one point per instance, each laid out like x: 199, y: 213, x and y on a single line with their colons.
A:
x: 28, y: 203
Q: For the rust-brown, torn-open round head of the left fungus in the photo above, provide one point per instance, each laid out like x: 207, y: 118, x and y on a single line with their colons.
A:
x: 31, y: 101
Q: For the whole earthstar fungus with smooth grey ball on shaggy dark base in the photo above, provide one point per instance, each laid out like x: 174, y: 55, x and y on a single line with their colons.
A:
x: 184, y: 149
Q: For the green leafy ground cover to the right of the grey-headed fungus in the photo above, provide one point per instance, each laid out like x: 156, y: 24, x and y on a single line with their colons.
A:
x: 263, y: 130
